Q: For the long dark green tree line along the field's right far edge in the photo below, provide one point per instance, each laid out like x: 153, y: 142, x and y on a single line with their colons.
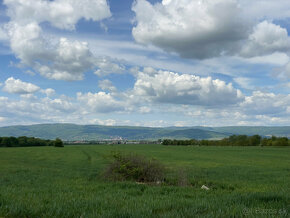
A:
x: 234, y: 140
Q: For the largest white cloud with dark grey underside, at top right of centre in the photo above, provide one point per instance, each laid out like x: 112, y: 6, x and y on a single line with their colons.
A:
x: 193, y: 29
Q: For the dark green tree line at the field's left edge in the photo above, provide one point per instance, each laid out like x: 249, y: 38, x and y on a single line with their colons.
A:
x: 24, y: 141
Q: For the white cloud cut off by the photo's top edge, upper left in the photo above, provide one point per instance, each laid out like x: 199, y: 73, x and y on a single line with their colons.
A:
x: 62, y: 14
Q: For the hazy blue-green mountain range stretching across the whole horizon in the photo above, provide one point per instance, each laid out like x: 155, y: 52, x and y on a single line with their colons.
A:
x: 74, y: 132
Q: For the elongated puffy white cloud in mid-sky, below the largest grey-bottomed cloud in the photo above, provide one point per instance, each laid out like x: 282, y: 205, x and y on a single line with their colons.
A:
x: 169, y: 87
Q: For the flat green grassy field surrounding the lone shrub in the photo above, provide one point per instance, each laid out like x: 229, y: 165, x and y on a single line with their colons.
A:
x: 67, y: 182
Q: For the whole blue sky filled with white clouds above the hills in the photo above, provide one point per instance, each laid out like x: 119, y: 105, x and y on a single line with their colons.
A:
x: 145, y: 62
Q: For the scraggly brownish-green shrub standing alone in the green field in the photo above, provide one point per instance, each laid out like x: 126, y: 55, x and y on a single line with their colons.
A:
x: 134, y: 167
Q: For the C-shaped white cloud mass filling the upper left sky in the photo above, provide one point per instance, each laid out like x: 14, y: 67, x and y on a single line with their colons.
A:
x: 66, y: 59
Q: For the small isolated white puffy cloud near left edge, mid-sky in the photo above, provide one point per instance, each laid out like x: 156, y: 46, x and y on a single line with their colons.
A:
x: 17, y: 86
